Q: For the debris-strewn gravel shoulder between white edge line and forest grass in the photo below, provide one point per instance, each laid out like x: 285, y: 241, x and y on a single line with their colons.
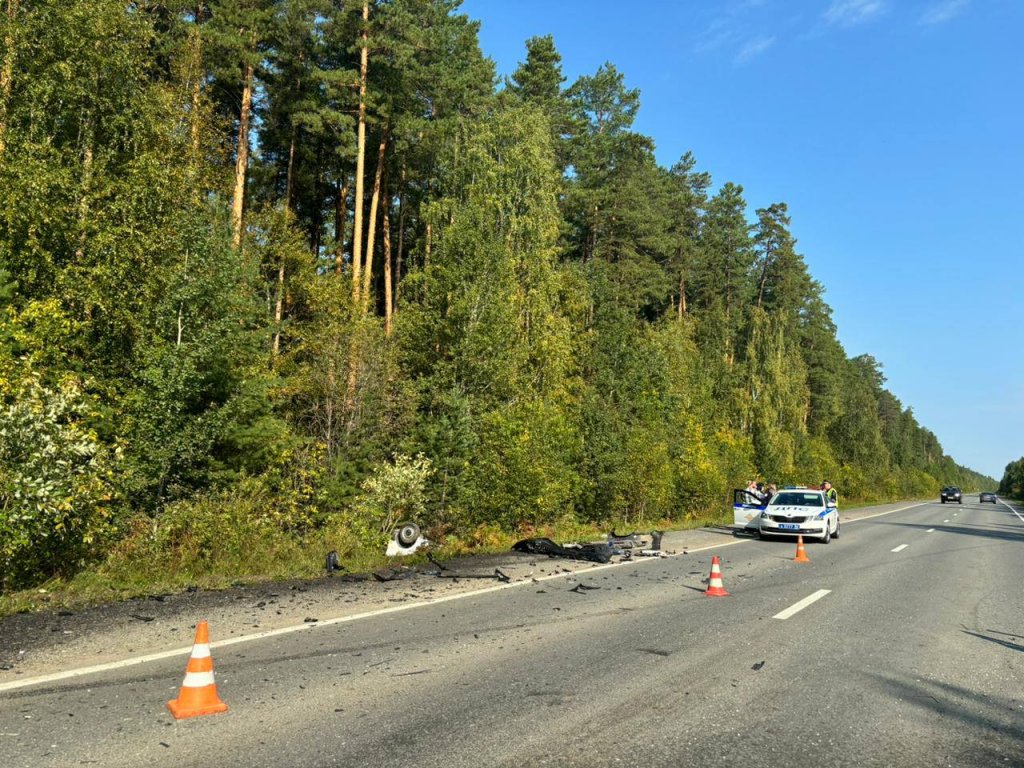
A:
x: 35, y: 645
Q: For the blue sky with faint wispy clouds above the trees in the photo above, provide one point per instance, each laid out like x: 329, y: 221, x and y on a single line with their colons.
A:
x: 893, y: 130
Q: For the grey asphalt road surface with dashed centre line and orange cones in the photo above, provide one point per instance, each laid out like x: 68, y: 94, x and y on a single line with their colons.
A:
x: 913, y: 658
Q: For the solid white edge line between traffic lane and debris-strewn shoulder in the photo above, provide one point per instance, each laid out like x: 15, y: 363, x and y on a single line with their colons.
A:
x: 58, y: 676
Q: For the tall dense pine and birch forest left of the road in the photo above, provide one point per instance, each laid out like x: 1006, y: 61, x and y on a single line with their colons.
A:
x: 282, y: 273
